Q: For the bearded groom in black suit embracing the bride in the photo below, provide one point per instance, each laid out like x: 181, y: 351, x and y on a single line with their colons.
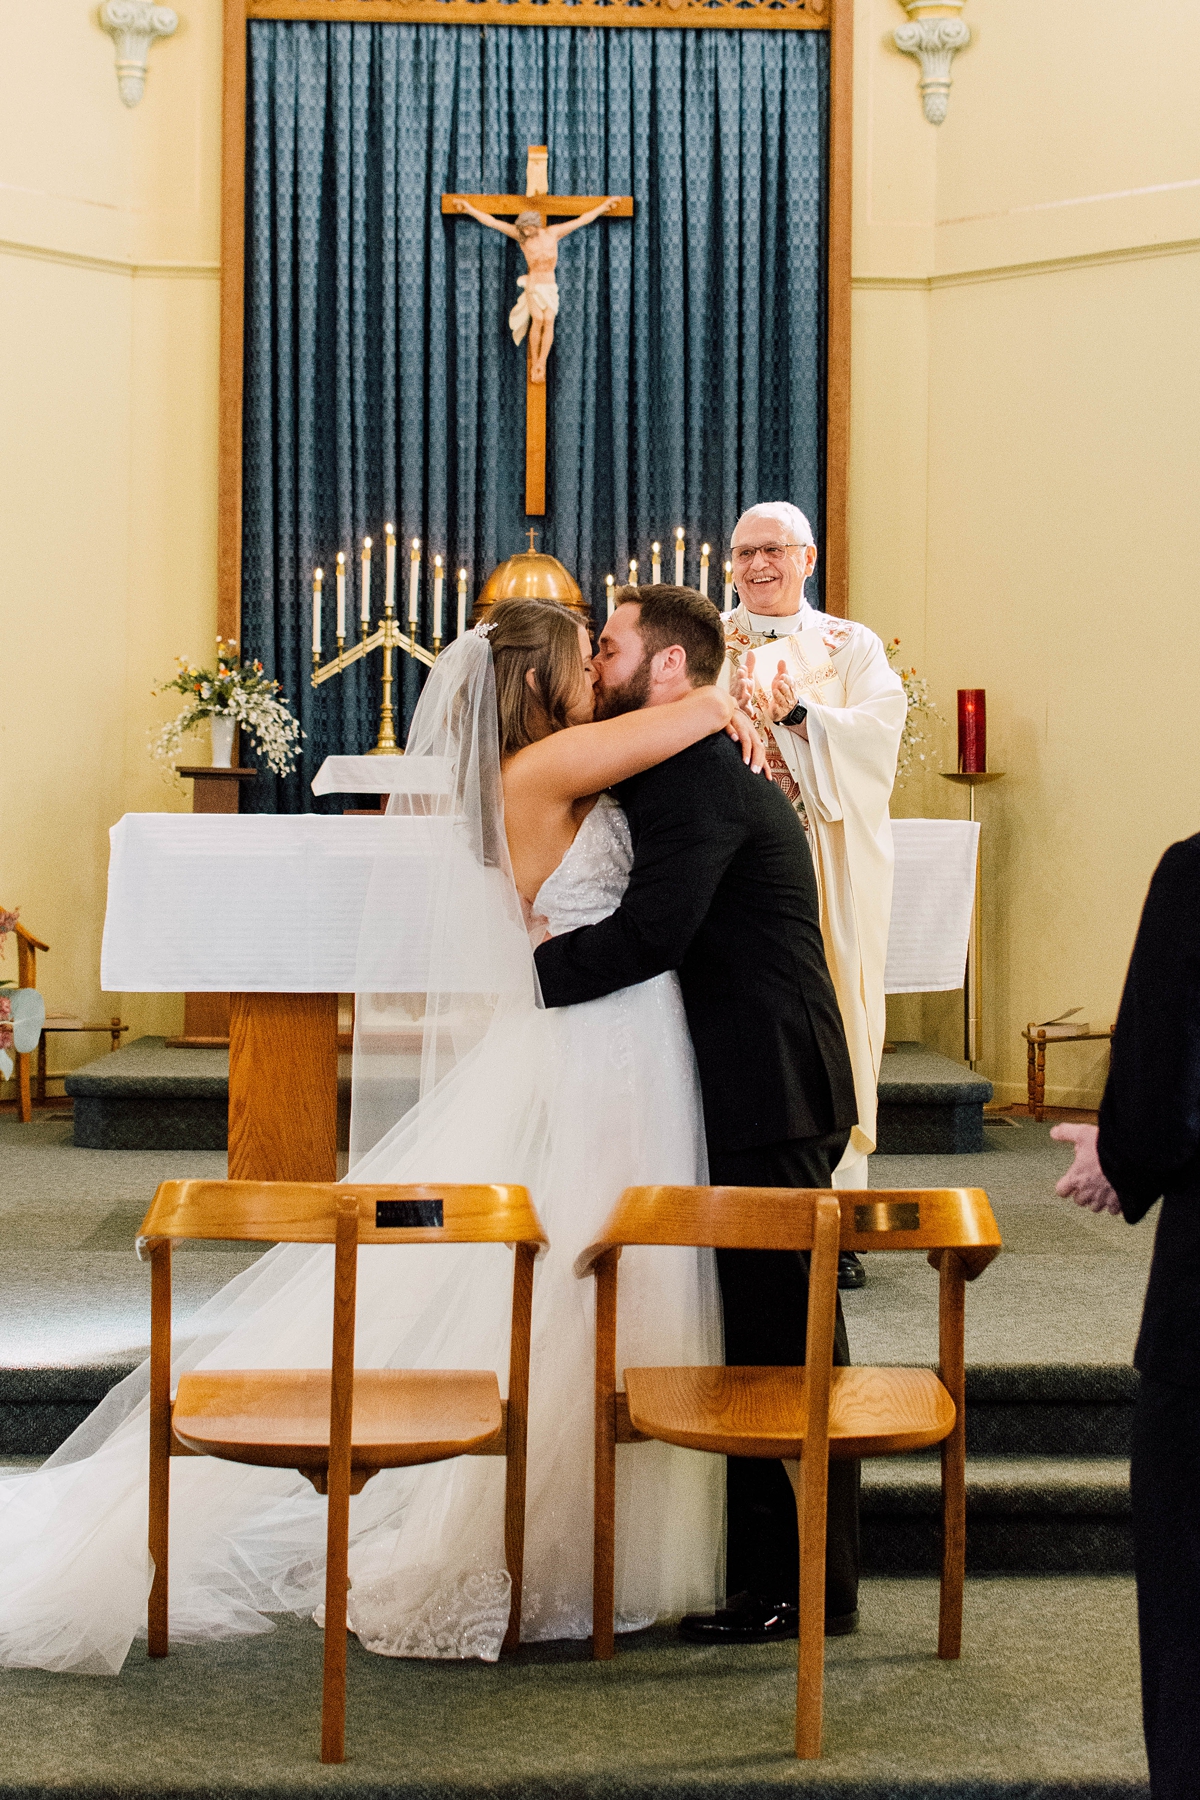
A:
x: 724, y: 892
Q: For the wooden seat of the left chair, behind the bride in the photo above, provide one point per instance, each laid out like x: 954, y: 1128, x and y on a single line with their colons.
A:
x: 280, y: 1417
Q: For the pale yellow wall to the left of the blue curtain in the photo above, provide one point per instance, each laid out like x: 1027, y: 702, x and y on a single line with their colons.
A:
x: 109, y: 312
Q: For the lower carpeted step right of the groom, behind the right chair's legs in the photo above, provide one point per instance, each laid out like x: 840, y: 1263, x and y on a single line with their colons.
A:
x: 1025, y: 1515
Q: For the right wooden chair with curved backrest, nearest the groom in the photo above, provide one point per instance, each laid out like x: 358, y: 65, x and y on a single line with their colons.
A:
x: 796, y: 1416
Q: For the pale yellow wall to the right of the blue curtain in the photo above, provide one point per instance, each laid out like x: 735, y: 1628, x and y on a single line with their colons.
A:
x: 1025, y: 471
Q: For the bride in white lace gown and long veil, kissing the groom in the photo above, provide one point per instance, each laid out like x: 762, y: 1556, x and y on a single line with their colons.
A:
x: 577, y: 1104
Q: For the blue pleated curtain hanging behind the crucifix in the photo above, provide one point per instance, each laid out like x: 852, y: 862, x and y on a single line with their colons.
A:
x: 381, y: 379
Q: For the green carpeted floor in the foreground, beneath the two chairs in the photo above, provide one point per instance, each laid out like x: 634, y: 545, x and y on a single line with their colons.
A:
x: 1044, y: 1704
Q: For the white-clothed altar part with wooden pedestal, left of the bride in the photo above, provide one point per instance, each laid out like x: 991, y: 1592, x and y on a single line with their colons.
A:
x: 273, y: 908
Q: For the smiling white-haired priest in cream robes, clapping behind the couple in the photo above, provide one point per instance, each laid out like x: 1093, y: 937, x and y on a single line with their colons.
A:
x: 832, y: 710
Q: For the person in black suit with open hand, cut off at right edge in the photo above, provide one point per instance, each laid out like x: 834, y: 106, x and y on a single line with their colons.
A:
x: 1147, y: 1147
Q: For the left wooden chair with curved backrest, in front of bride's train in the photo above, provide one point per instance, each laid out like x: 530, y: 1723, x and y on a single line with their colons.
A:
x: 337, y: 1426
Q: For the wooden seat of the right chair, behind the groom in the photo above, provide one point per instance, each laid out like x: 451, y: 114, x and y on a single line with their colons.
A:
x: 764, y: 1412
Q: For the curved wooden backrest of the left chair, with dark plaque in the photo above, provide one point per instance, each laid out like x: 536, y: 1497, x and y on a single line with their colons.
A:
x: 301, y: 1212
